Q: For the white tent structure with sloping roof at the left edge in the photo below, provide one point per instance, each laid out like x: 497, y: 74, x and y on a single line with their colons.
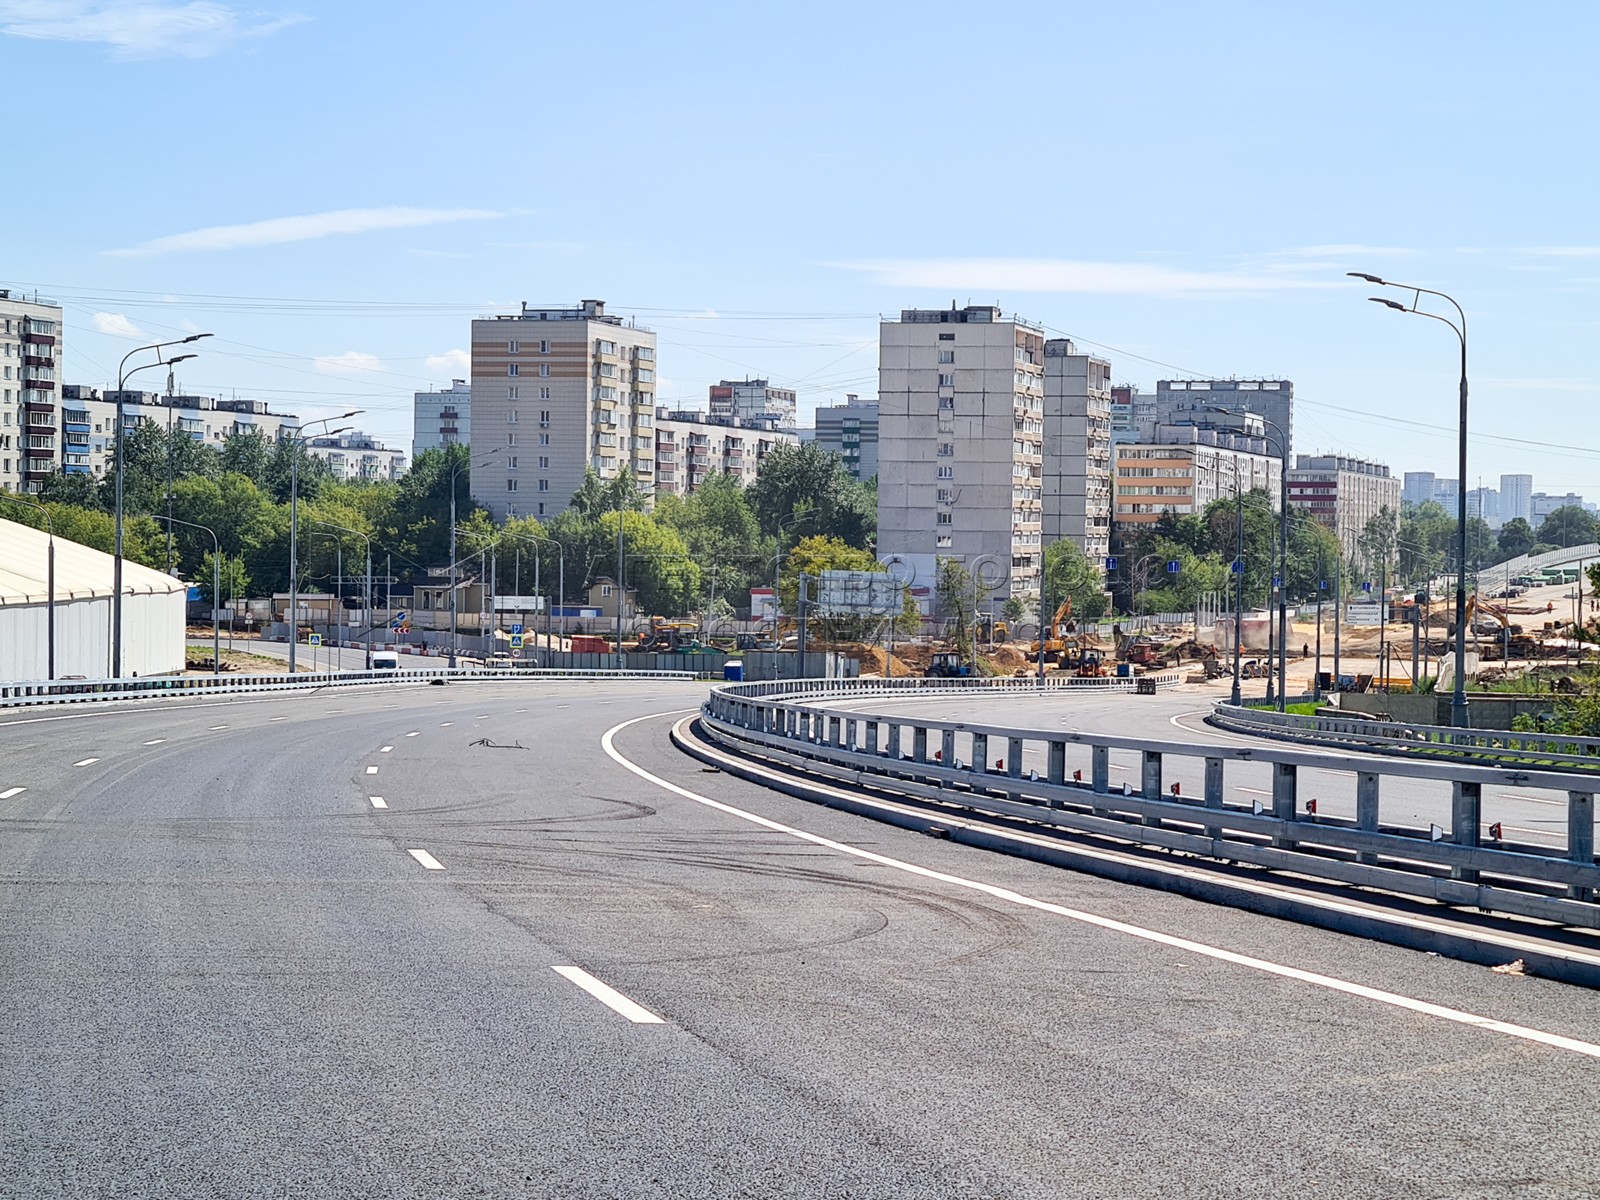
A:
x: 153, y: 612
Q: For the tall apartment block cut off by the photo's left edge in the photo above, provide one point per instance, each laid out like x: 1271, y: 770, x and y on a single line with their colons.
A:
x: 31, y: 334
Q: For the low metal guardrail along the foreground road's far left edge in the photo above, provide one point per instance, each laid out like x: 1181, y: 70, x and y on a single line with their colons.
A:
x: 87, y: 692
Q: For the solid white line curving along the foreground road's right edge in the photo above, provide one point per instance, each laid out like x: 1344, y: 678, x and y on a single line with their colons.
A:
x: 1460, y: 1017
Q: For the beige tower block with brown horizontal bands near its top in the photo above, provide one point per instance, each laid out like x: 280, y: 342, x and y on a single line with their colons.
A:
x: 556, y: 391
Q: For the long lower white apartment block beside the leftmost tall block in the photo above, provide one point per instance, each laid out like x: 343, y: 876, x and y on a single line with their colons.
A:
x: 89, y: 422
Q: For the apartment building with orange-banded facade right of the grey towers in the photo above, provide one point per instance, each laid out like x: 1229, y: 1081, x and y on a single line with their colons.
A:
x: 1182, y: 468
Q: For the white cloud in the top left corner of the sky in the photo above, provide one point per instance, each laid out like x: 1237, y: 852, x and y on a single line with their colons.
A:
x: 142, y: 28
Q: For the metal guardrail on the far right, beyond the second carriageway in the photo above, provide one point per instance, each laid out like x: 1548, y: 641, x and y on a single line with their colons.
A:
x: 1431, y: 742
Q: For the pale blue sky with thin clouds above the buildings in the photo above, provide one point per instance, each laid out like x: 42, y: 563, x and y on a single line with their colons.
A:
x: 335, y: 191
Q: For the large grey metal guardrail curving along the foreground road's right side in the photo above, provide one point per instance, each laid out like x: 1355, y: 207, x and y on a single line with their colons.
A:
x: 926, y: 758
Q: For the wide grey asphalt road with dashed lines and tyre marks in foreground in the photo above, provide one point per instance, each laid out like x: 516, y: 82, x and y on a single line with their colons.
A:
x: 230, y: 972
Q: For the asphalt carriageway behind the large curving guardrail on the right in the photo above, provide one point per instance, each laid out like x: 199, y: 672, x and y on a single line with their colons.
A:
x: 1527, y: 814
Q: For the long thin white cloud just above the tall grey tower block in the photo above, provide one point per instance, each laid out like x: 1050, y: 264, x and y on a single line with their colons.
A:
x: 1110, y: 279
